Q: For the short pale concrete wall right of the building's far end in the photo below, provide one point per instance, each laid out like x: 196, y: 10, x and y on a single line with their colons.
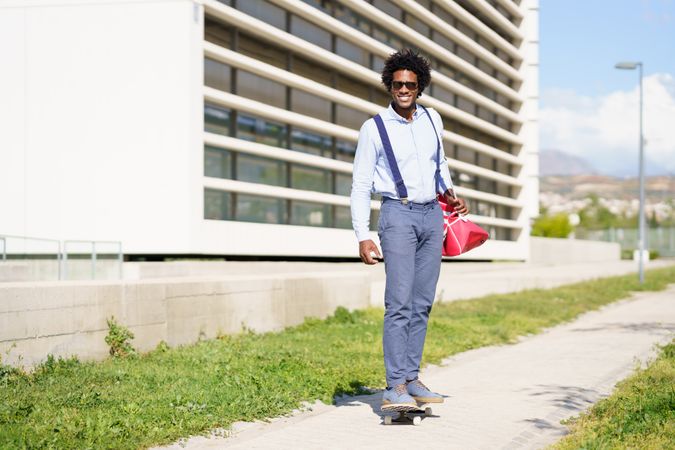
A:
x: 562, y: 251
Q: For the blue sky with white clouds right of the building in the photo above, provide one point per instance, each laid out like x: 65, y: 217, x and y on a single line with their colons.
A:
x: 590, y: 109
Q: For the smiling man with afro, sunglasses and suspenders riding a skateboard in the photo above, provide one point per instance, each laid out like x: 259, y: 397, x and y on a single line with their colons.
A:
x: 399, y: 156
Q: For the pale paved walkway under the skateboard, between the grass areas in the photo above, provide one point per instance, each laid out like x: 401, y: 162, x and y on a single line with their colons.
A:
x: 502, y: 397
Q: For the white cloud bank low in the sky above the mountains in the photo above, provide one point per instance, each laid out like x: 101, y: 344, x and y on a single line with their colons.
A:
x: 604, y: 130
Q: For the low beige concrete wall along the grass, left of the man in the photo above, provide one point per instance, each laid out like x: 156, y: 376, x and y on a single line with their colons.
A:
x: 69, y: 318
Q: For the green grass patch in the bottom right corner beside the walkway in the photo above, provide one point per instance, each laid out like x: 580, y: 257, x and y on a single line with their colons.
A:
x: 640, y: 413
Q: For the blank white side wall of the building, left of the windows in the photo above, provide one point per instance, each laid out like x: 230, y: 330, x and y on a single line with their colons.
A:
x: 101, y: 121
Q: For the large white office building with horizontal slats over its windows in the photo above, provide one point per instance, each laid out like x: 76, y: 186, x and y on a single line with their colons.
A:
x: 187, y: 127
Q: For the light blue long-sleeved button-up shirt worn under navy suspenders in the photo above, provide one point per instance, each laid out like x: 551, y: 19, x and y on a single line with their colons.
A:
x: 414, y: 147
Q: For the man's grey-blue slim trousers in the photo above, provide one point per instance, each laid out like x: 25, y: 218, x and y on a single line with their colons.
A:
x: 411, y: 237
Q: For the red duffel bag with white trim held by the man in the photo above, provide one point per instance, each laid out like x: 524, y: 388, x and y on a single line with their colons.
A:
x: 459, y: 234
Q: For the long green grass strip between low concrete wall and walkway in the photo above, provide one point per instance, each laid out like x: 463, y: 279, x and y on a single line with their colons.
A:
x: 167, y: 394
